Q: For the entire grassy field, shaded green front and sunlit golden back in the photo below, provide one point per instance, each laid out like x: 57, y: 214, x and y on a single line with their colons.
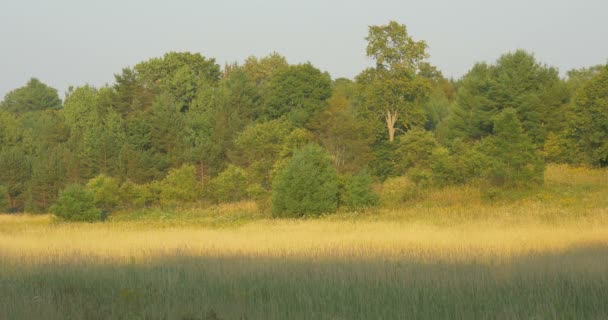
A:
x: 434, y: 254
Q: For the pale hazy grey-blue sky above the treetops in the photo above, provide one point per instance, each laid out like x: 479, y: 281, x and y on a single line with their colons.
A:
x: 75, y: 42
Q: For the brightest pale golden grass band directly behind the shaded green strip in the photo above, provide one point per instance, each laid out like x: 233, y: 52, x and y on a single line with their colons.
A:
x: 38, y: 238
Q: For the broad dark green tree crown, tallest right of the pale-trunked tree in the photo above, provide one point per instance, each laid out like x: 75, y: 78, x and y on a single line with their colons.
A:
x: 516, y: 81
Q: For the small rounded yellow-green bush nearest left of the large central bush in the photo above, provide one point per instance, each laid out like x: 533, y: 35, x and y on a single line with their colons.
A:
x: 229, y: 186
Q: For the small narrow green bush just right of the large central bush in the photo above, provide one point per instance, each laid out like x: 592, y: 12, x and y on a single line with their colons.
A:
x: 359, y: 194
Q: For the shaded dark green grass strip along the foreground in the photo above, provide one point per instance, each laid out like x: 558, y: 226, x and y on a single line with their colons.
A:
x: 568, y: 285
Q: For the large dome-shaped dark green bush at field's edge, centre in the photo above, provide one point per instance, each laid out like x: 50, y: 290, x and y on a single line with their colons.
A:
x: 308, y: 185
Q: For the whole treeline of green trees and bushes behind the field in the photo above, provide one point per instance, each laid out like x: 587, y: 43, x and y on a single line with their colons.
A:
x: 181, y: 129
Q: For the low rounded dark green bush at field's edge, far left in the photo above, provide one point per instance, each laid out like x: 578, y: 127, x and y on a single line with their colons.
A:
x: 75, y: 203
